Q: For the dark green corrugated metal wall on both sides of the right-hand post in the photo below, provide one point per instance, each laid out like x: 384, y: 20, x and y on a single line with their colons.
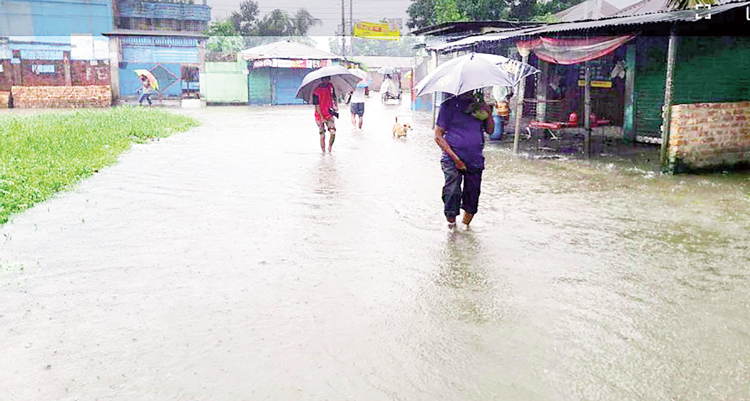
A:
x: 707, y: 69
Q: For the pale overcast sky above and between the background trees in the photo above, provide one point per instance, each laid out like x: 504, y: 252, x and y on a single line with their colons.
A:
x: 327, y: 10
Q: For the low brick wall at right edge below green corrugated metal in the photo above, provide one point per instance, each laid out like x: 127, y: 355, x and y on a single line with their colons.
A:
x: 705, y: 136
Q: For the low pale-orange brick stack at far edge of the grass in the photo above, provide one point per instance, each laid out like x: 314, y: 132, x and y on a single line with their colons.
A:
x: 34, y: 97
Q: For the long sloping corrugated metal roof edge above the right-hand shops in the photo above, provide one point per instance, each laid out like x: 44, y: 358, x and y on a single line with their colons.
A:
x: 672, y: 16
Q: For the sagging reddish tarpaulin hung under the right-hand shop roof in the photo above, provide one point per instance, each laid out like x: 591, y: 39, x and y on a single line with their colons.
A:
x: 572, y: 51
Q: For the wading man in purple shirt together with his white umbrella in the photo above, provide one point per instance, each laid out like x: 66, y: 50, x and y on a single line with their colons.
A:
x: 462, y: 122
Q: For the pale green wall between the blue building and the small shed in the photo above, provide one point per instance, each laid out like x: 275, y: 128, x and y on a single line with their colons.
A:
x: 225, y: 82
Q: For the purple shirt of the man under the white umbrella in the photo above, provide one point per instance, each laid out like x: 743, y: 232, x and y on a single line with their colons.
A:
x: 462, y: 131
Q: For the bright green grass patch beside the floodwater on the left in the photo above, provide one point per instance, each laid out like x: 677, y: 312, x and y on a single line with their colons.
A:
x: 47, y: 153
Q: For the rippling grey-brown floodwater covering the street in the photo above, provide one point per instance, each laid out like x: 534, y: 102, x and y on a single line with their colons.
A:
x: 238, y: 262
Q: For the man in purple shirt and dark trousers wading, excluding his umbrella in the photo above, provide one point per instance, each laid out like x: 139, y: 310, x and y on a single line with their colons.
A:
x: 459, y: 131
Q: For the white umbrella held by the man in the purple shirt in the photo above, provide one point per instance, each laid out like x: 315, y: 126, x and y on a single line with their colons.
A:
x: 474, y: 71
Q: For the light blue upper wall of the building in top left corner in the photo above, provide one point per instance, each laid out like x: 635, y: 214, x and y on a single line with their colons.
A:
x: 55, y: 17
